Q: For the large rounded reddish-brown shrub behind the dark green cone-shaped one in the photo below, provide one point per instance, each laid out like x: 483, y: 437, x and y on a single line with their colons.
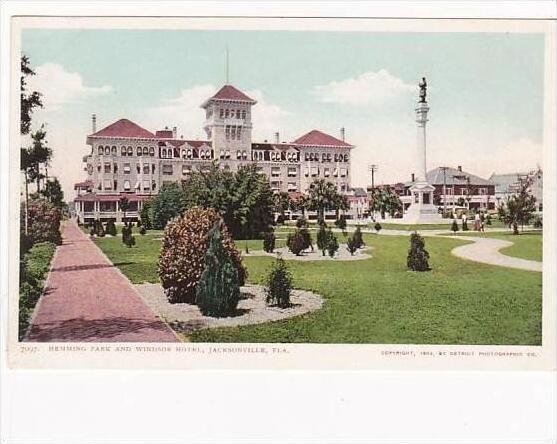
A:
x: 183, y: 247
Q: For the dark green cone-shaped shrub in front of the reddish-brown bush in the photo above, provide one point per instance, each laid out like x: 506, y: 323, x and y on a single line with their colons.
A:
x: 218, y: 289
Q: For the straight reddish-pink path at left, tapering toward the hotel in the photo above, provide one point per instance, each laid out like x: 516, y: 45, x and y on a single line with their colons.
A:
x: 87, y: 299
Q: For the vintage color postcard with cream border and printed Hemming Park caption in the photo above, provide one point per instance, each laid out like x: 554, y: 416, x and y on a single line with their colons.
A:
x: 253, y: 193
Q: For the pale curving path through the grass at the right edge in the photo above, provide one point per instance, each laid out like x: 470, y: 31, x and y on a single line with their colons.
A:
x: 486, y: 250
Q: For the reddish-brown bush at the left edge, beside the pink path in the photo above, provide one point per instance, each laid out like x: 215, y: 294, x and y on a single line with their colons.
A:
x: 43, y: 223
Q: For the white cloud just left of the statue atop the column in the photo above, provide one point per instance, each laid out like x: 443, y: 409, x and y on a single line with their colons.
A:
x: 367, y: 88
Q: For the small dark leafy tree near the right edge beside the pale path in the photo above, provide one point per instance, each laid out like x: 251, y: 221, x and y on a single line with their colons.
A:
x: 518, y: 208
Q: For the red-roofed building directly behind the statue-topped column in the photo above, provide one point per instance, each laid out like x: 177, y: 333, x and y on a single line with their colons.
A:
x: 453, y: 188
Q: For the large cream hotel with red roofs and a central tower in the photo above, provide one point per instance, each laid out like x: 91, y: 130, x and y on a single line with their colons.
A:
x: 128, y: 160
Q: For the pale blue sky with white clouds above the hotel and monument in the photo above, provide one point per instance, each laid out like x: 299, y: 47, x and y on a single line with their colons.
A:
x: 485, y: 91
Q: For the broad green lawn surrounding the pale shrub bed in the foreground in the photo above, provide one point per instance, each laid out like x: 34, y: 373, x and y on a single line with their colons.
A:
x: 379, y: 301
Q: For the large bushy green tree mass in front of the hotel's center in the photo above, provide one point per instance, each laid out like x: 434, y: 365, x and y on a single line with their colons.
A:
x: 244, y: 199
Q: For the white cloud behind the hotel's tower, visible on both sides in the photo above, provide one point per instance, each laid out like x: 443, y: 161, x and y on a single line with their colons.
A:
x: 184, y: 111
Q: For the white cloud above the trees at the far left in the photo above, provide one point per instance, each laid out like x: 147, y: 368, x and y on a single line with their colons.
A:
x: 60, y: 87
